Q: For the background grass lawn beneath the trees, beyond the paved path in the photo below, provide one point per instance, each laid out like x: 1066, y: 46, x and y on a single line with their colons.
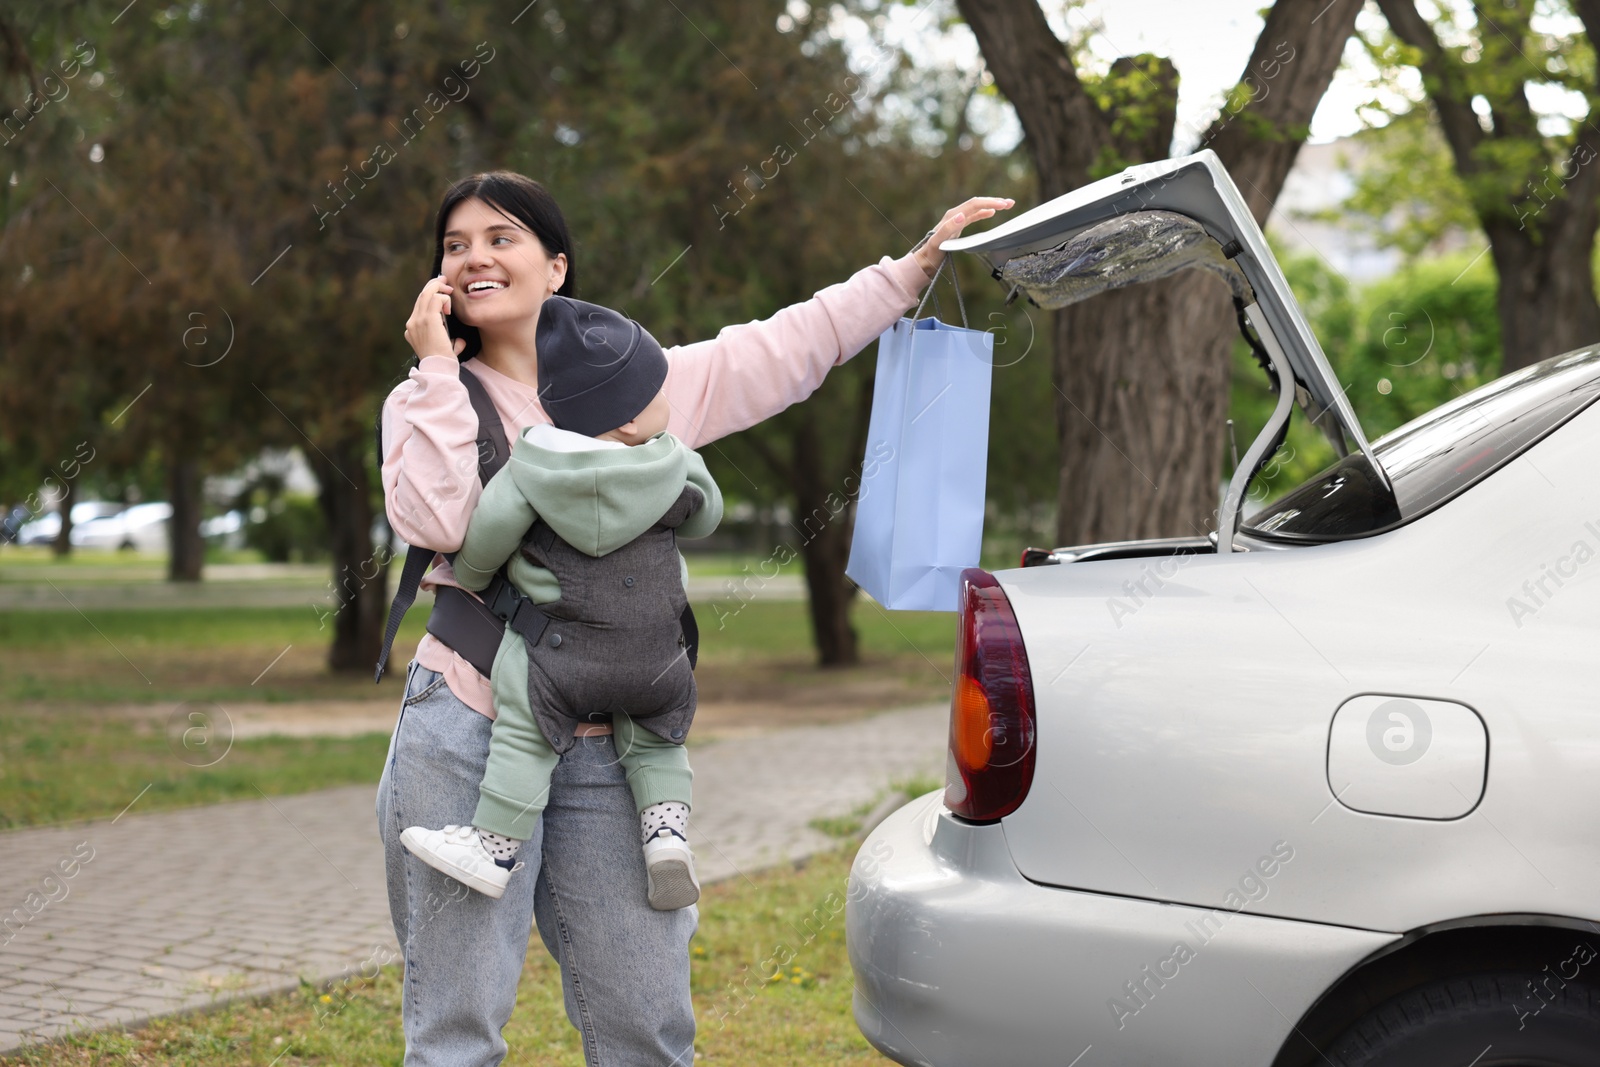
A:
x: 94, y: 706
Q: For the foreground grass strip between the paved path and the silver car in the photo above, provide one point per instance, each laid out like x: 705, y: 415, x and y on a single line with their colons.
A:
x: 748, y: 1015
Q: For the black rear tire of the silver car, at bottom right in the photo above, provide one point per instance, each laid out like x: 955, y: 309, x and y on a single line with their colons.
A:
x: 1482, y: 1020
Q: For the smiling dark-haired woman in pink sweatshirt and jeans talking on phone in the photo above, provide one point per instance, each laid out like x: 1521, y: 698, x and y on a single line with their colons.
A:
x: 502, y: 250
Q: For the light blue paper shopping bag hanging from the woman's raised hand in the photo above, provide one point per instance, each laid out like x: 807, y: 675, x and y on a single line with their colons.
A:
x: 921, y: 510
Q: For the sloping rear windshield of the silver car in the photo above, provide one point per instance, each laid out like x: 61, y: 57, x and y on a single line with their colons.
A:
x: 1436, y: 457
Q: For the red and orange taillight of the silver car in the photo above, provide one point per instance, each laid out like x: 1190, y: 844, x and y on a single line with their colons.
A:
x: 991, y: 706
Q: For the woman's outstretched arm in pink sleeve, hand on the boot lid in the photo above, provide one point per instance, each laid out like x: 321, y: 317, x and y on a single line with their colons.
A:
x: 753, y: 372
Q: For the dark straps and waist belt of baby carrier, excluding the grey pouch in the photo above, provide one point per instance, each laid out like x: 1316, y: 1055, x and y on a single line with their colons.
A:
x: 474, y: 628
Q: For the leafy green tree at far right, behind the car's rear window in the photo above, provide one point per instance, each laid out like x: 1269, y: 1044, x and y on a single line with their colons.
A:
x: 1535, y: 193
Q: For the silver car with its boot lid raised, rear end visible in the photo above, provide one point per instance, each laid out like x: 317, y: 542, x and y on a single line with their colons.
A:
x: 1322, y: 788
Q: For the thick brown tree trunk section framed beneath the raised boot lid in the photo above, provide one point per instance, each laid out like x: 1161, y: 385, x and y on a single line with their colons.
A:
x: 1143, y: 390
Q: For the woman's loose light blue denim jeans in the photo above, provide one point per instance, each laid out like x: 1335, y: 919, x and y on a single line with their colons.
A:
x: 625, y: 965
